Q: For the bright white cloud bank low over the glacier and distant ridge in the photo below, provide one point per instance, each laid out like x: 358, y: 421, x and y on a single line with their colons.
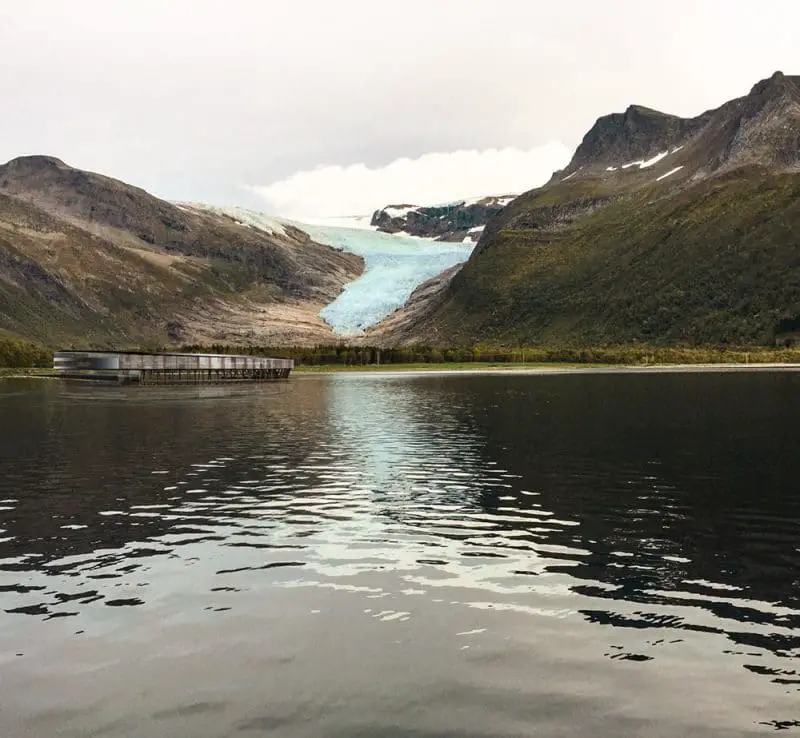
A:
x: 436, y: 177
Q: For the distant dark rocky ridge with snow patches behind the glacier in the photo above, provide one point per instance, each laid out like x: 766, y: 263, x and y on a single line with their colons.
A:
x: 462, y: 221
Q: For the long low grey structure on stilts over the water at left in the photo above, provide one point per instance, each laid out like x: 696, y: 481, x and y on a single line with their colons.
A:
x: 138, y: 367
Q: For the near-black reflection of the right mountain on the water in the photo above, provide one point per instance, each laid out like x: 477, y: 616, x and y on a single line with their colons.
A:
x: 683, y: 488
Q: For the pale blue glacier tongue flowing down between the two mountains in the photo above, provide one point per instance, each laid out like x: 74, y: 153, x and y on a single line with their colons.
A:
x: 394, y: 265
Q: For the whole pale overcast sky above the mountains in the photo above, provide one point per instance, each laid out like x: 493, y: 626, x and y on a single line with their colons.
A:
x: 322, y: 107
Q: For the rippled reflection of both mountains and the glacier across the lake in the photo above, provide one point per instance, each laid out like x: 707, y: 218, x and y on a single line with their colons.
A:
x: 662, y: 505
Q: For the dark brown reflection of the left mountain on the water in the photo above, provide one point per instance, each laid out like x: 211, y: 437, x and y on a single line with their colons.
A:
x: 103, y: 461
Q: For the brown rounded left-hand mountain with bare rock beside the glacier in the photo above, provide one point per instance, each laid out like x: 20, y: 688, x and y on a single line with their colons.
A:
x: 89, y: 259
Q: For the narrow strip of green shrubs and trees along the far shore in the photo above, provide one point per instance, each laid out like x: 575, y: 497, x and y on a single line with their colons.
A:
x: 22, y: 354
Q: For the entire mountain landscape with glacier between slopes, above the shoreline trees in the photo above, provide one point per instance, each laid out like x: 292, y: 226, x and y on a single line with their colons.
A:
x: 661, y: 231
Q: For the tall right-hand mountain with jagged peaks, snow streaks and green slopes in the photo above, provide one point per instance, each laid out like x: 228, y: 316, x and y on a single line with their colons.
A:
x: 661, y: 229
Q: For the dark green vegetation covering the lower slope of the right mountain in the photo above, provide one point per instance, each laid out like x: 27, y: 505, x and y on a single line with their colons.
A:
x: 714, y: 263
